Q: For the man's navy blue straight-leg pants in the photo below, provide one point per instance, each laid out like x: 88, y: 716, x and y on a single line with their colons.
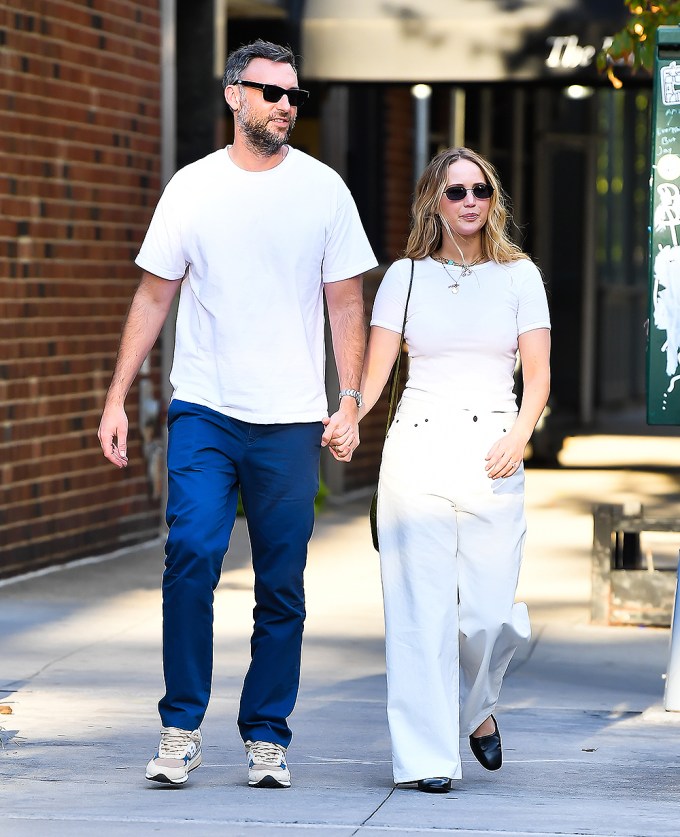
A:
x: 276, y: 467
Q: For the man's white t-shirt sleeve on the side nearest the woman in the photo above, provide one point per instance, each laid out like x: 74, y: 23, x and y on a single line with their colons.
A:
x: 347, y: 252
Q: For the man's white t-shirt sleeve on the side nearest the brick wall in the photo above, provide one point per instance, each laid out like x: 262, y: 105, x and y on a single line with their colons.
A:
x: 161, y: 252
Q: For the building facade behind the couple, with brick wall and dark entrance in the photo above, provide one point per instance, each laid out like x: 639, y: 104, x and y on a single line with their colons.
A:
x: 102, y: 101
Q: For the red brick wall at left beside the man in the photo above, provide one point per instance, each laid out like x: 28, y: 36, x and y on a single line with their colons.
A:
x: 79, y: 144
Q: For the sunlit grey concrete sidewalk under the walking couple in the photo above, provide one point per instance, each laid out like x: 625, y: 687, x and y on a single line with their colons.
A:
x: 588, y: 747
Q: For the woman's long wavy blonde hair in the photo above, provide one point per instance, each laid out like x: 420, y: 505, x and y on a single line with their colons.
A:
x: 427, y: 224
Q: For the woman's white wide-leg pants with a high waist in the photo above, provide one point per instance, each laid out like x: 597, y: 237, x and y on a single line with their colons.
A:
x: 450, y: 551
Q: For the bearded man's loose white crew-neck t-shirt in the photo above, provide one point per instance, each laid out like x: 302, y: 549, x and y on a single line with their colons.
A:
x: 256, y: 248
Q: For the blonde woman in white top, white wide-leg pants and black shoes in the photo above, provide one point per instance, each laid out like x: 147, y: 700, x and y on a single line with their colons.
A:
x: 451, y: 492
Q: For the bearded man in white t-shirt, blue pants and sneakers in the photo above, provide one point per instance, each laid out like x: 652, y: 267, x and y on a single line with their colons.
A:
x: 252, y: 233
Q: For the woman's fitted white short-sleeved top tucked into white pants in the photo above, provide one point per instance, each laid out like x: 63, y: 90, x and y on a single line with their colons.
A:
x: 463, y: 346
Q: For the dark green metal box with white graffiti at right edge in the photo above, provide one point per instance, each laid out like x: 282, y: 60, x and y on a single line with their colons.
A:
x: 663, y: 347
